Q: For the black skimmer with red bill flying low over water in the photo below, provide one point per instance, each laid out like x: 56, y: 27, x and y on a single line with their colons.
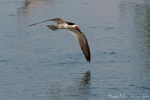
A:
x: 74, y: 29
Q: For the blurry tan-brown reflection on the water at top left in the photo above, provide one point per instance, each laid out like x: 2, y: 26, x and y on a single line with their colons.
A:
x: 29, y: 8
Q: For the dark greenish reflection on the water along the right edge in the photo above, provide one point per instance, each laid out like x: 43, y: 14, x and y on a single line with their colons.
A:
x: 142, y: 21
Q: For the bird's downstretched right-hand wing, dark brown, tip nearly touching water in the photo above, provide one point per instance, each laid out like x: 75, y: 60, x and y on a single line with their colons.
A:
x: 82, y: 42
